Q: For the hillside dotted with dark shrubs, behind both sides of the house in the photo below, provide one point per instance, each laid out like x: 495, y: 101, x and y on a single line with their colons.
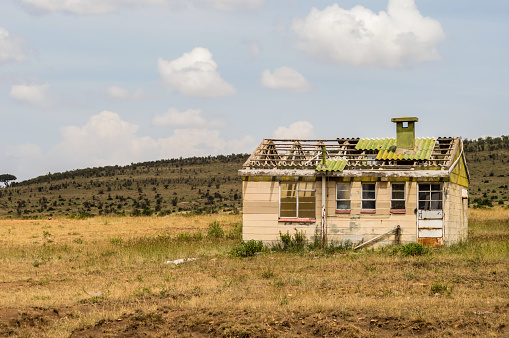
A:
x: 199, y: 185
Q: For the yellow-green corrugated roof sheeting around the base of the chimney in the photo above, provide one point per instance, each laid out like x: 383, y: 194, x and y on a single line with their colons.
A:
x: 387, y: 148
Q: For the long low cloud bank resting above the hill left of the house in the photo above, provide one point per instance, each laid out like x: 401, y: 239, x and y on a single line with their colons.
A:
x: 105, y: 139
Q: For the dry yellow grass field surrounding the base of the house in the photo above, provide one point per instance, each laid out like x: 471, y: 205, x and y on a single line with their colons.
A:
x: 114, y: 276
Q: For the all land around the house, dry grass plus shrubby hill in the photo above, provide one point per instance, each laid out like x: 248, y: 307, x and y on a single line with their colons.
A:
x: 93, y: 253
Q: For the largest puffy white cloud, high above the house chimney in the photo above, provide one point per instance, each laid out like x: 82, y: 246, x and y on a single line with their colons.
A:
x: 360, y: 37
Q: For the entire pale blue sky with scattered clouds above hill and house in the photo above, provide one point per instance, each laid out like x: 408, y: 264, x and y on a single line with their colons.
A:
x: 89, y: 83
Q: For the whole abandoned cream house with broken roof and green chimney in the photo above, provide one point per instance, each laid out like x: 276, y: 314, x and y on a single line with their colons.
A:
x: 365, y: 191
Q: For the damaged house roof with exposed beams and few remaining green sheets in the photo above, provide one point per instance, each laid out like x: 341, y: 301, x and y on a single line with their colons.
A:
x: 339, y: 155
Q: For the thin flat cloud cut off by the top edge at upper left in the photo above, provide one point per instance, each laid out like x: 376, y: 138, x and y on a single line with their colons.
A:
x: 87, y: 7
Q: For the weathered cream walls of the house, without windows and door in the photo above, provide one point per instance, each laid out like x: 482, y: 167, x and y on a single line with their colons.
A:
x: 261, y: 211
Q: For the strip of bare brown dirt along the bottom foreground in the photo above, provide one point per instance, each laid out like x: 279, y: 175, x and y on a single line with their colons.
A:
x: 173, y: 322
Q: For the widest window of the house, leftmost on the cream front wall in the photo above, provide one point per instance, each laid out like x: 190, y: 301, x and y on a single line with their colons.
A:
x: 297, y: 200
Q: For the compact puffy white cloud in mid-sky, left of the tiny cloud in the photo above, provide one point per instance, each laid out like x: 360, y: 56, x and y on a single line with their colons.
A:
x: 194, y: 74
